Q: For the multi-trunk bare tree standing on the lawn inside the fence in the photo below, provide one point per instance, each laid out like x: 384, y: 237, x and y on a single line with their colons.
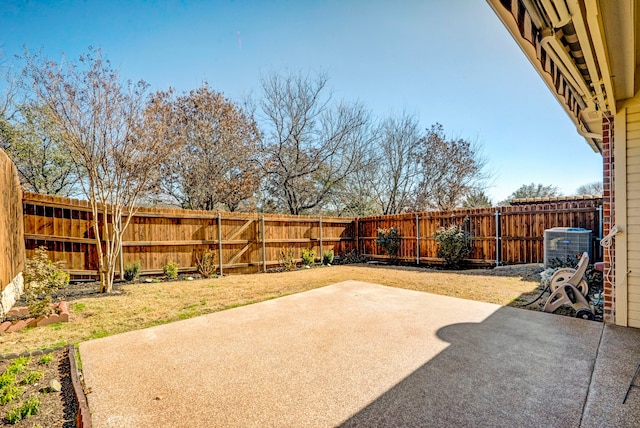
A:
x: 102, y: 124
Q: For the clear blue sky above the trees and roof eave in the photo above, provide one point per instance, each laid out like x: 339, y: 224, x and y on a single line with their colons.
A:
x: 447, y: 61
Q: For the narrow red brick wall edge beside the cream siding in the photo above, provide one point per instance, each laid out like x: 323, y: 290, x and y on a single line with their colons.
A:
x: 608, y: 217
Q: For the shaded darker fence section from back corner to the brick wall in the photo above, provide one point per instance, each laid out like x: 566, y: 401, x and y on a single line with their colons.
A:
x: 503, y: 235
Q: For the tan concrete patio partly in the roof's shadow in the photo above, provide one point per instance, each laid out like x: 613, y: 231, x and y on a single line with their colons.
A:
x: 359, y: 354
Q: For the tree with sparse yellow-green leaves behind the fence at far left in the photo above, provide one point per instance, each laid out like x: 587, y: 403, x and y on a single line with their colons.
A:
x: 34, y: 145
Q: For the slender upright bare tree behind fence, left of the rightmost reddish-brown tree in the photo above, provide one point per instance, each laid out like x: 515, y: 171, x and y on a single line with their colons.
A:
x: 397, y: 168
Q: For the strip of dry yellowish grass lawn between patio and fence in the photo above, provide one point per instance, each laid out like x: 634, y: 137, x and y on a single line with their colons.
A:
x: 147, y: 304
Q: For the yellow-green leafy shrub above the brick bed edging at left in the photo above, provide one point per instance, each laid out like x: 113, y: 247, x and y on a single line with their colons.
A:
x: 42, y: 277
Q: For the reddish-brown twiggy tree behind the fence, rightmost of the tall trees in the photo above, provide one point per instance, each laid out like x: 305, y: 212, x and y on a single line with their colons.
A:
x: 450, y: 169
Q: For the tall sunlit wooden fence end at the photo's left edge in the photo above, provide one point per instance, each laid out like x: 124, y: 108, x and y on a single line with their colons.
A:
x: 12, y: 253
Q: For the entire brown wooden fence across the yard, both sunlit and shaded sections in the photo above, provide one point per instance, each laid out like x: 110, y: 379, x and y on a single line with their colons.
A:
x: 251, y: 242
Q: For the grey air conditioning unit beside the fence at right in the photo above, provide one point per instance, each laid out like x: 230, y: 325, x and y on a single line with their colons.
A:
x: 561, y: 242
